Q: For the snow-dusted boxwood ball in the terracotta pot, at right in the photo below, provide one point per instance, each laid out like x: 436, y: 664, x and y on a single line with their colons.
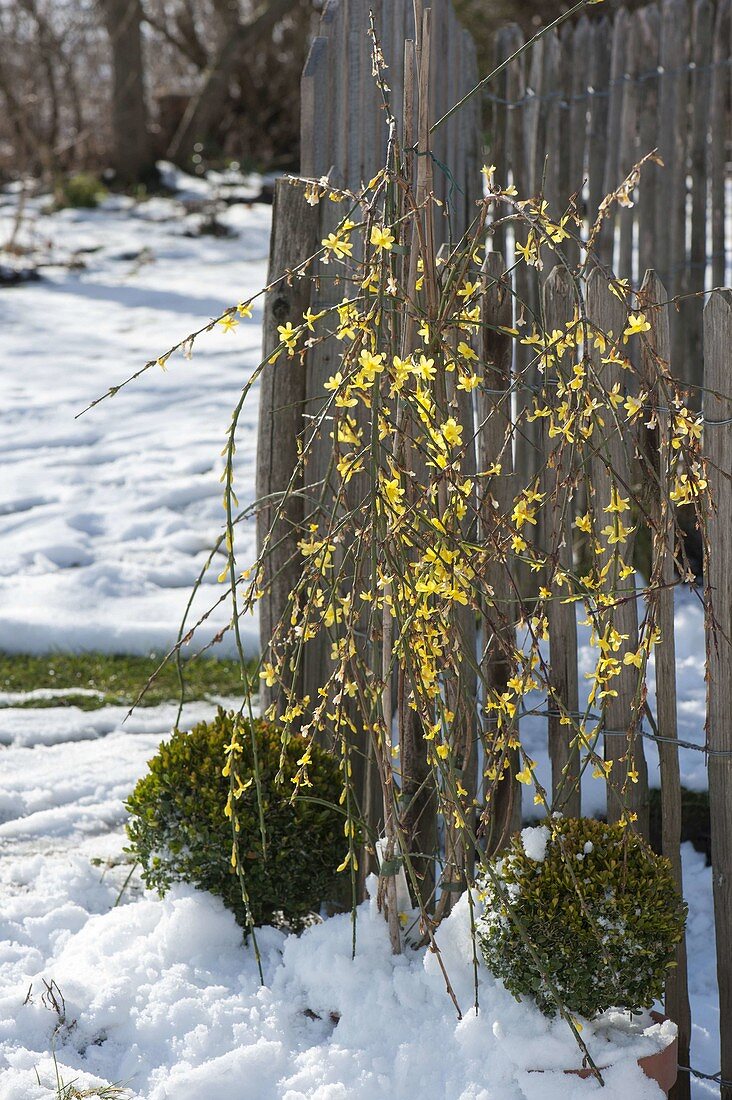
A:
x: 600, y: 908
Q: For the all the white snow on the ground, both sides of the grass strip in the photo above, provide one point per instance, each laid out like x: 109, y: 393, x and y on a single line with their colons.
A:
x: 104, y: 525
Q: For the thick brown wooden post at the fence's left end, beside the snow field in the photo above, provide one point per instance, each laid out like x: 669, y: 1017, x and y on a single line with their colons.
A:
x: 282, y: 397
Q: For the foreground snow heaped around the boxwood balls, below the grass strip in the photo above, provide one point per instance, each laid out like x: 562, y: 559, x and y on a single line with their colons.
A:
x: 161, y: 996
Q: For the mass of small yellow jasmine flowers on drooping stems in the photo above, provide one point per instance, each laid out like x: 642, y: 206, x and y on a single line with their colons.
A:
x: 413, y: 519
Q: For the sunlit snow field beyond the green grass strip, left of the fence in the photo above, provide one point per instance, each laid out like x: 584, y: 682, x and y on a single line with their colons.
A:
x: 105, y: 521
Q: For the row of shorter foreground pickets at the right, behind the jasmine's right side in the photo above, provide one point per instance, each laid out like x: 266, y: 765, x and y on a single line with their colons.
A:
x: 607, y: 313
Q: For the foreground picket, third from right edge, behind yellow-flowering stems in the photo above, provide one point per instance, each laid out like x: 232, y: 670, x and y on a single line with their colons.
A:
x: 608, y: 314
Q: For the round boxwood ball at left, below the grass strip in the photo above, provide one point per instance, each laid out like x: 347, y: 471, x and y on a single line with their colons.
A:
x: 180, y: 833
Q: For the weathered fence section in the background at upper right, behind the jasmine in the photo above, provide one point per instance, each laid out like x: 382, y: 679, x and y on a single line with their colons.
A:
x: 577, y: 111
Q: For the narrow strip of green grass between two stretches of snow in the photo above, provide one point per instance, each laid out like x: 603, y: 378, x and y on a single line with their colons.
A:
x: 116, y: 679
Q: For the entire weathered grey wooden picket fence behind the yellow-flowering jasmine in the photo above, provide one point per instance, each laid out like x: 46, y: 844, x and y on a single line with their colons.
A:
x: 595, y: 98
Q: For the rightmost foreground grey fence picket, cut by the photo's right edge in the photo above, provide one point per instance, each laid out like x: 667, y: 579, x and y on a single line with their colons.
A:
x: 718, y: 450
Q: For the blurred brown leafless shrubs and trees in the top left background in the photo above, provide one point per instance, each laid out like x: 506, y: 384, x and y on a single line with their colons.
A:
x: 88, y: 85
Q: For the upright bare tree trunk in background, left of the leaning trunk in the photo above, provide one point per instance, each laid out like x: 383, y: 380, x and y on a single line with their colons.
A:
x: 133, y: 150
